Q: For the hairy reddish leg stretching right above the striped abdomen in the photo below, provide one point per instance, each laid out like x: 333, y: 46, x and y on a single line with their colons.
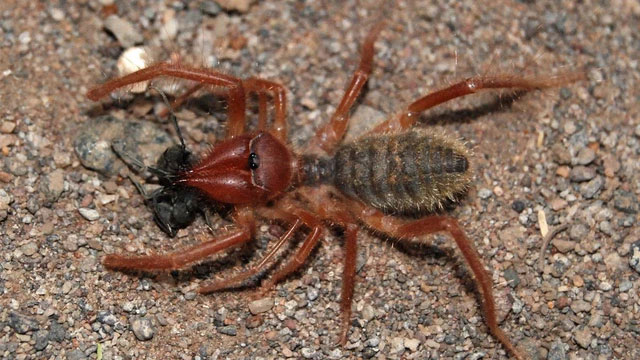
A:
x: 469, y: 86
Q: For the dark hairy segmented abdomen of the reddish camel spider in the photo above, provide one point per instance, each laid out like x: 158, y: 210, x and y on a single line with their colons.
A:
x: 408, y: 173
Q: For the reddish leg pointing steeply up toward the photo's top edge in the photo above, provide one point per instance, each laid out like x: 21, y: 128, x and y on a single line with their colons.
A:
x: 332, y: 133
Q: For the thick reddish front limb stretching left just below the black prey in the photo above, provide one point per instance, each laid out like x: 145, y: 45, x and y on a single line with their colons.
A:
x: 244, y: 221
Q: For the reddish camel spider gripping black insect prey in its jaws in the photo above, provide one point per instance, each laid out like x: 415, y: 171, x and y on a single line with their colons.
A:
x: 375, y: 181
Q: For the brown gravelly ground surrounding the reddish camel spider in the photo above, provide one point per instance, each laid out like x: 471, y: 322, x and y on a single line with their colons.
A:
x: 570, y: 154
